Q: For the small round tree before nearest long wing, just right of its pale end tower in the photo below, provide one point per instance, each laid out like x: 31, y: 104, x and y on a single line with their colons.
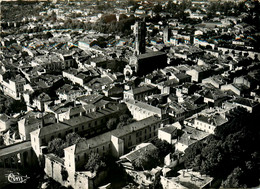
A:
x: 95, y: 163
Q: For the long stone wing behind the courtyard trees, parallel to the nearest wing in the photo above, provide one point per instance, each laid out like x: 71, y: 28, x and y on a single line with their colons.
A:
x: 90, y: 124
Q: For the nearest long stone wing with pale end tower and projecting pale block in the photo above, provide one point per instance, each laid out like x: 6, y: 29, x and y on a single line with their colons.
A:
x: 114, y: 142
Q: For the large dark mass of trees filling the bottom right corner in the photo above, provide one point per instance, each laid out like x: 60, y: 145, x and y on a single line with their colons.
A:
x: 232, y: 155
